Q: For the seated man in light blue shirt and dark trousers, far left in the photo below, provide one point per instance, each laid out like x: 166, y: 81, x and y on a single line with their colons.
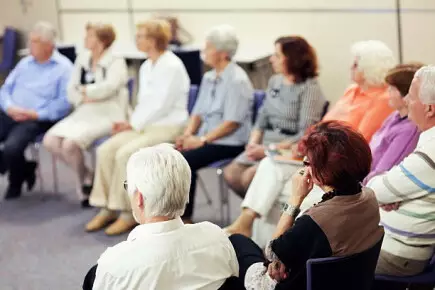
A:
x: 32, y: 99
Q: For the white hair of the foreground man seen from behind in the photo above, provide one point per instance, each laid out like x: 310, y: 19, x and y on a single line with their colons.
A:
x: 162, y: 175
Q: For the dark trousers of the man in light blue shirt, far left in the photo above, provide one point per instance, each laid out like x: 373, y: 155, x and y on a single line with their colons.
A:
x: 15, y: 137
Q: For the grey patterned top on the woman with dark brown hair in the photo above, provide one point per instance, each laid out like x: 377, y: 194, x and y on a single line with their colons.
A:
x: 291, y: 107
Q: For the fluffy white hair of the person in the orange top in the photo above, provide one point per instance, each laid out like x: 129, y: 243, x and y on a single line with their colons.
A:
x: 374, y: 59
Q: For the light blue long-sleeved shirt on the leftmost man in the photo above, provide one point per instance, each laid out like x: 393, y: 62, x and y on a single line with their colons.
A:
x: 39, y: 86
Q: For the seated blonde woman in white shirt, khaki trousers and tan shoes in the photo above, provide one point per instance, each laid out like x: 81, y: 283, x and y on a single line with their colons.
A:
x: 160, y: 116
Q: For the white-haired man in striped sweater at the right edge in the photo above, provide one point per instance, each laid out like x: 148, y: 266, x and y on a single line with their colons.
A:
x: 406, y: 191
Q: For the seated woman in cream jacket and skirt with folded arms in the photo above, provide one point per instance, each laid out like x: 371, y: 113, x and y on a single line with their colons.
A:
x: 98, y: 92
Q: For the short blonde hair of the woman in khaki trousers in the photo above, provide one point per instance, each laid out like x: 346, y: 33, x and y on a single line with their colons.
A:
x: 159, y: 30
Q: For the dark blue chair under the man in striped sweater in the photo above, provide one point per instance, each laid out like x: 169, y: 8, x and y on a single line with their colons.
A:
x: 425, y: 280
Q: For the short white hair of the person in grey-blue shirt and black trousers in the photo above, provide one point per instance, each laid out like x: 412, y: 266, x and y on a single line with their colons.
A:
x: 223, y: 38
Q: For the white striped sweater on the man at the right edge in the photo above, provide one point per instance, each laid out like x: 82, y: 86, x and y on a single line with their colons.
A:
x: 410, y: 230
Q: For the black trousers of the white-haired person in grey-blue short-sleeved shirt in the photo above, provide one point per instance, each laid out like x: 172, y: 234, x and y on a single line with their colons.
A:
x: 202, y: 157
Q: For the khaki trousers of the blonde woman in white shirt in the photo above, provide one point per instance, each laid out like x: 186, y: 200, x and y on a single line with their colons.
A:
x: 112, y: 156
